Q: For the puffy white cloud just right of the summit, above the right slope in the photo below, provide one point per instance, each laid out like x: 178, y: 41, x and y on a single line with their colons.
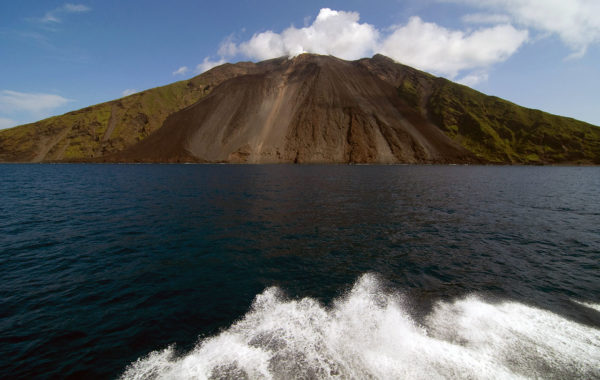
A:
x: 430, y: 47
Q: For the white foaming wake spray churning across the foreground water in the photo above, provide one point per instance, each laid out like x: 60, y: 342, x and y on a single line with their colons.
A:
x: 368, y: 333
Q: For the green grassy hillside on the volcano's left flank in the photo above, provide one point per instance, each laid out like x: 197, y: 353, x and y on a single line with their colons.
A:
x: 102, y: 128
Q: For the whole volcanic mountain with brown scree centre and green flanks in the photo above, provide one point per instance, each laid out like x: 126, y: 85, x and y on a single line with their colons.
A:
x: 307, y: 109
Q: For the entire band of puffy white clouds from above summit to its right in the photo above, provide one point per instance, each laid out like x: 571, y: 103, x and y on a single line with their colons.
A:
x: 424, y: 45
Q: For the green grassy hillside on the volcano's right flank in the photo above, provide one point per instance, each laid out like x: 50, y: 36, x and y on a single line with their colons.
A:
x: 499, y: 131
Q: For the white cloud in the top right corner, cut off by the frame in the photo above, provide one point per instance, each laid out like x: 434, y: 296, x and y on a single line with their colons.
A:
x: 576, y: 22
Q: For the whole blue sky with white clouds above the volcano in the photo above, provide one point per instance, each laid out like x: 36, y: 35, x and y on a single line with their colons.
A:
x: 58, y: 56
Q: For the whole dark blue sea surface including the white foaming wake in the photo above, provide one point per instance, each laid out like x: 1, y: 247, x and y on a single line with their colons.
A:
x: 282, y: 271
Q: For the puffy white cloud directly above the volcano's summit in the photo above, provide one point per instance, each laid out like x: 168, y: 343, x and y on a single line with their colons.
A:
x: 333, y: 32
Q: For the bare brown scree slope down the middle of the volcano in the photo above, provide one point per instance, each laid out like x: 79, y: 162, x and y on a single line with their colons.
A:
x: 309, y: 109
